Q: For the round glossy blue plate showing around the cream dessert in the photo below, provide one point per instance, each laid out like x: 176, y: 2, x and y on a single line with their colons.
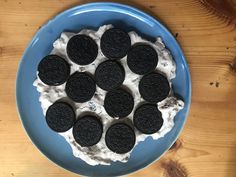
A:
x: 92, y: 16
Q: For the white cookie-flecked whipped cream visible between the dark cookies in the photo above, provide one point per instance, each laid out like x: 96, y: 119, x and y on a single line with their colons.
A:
x: 99, y: 153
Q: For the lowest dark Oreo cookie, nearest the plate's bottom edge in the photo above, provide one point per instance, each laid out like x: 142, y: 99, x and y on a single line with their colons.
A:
x: 120, y: 138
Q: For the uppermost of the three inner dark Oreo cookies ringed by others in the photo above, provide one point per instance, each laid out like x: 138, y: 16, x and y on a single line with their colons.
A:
x: 109, y: 75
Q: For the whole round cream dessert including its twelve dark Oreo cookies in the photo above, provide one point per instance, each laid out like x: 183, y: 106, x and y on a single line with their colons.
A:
x: 117, y: 81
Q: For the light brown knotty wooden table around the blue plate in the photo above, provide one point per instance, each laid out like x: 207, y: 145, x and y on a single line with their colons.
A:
x: 207, y: 33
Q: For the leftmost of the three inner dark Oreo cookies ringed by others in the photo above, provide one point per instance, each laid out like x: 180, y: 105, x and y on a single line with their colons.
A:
x: 80, y: 87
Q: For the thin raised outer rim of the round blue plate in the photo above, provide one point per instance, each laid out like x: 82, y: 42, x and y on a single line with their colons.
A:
x: 122, y: 7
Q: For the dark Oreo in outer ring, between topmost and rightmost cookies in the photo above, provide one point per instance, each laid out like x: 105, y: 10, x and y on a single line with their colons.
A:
x: 142, y: 58
